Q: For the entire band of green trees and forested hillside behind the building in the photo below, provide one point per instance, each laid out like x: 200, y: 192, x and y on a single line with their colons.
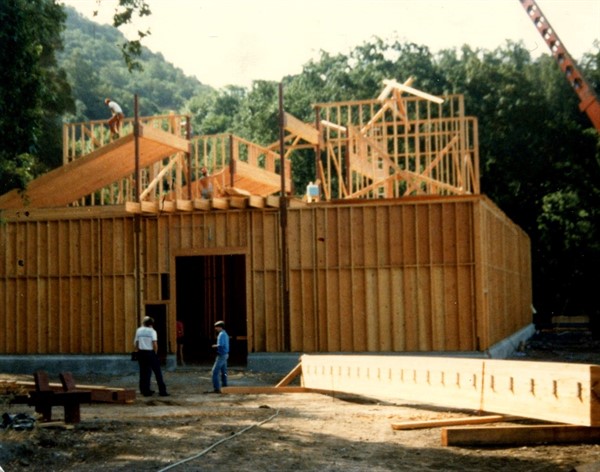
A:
x: 540, y: 158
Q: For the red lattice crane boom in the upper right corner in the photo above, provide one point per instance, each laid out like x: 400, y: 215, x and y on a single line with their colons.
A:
x: 588, y: 101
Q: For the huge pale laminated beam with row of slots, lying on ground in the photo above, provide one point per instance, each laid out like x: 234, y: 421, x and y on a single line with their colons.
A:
x: 550, y: 391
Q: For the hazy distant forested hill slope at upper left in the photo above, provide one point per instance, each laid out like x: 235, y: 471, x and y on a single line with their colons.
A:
x: 95, y: 69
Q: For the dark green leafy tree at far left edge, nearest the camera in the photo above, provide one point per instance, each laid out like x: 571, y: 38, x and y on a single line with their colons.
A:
x: 33, y: 90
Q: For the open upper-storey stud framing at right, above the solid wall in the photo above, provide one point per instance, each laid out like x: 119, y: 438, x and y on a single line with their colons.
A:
x: 398, y: 147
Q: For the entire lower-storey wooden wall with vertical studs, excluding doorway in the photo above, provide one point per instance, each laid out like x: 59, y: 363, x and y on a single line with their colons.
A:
x: 413, y: 274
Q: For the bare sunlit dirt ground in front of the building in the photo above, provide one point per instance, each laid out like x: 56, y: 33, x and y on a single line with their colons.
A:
x: 194, y: 431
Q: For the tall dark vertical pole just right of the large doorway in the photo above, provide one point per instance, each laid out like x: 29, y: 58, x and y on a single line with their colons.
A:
x: 285, y: 292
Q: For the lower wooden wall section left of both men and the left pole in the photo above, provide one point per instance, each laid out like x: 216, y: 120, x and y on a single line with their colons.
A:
x: 66, y: 286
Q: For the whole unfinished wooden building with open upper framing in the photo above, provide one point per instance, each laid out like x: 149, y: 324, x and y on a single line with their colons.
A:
x: 422, y: 270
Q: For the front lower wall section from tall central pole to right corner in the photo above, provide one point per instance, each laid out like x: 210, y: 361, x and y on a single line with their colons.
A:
x: 386, y: 277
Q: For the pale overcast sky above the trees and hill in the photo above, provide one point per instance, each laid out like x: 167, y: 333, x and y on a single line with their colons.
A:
x: 233, y: 42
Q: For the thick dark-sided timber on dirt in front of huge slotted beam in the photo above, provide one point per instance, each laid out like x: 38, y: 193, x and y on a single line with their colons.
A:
x: 520, y: 435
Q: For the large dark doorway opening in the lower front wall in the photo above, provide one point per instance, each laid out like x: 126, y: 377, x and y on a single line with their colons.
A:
x: 208, y: 289
